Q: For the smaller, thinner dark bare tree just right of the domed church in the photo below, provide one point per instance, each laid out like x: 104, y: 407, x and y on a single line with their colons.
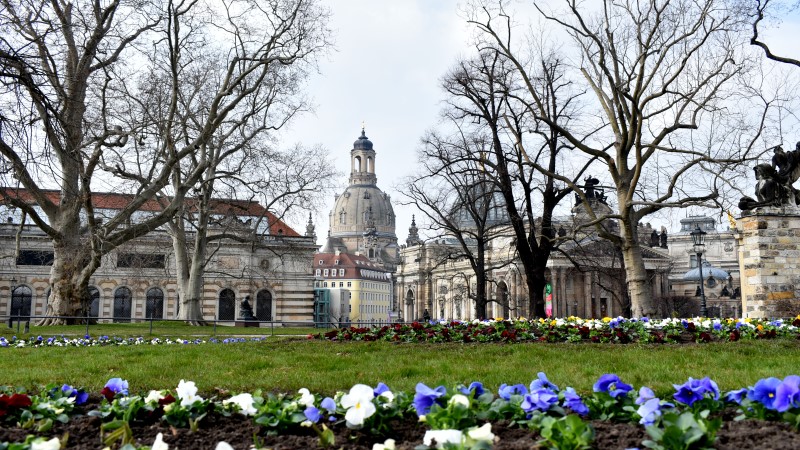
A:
x: 458, y: 196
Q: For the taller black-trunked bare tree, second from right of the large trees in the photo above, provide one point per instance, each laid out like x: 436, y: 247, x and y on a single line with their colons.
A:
x: 485, y: 93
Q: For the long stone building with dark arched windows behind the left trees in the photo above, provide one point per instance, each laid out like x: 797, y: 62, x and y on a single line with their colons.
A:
x: 137, y: 280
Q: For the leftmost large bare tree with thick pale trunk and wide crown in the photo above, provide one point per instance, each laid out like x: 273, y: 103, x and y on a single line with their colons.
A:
x: 115, y: 95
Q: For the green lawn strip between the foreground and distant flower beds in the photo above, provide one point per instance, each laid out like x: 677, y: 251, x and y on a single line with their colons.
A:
x: 287, y: 364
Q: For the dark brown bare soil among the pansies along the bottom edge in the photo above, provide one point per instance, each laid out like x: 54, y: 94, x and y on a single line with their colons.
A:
x: 240, y: 432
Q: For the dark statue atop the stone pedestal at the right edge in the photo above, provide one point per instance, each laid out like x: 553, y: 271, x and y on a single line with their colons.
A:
x: 774, y: 181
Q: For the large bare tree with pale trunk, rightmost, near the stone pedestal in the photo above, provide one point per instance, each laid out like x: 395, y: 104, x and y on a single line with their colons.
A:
x: 661, y: 74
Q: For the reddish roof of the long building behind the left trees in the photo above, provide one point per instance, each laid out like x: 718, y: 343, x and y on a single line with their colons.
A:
x: 112, y: 201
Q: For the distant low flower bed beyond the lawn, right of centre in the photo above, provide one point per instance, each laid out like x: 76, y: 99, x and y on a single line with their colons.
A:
x: 573, y: 329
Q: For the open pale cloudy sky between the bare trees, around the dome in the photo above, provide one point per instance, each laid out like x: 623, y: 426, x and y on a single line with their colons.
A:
x: 385, y: 71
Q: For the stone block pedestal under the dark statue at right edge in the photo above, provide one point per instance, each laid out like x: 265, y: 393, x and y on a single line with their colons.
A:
x: 769, y: 262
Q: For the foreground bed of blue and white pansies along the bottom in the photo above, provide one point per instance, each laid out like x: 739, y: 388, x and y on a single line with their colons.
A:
x: 614, y: 415
